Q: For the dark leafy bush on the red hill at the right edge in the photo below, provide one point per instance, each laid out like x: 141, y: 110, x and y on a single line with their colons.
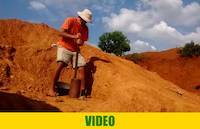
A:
x: 190, y: 49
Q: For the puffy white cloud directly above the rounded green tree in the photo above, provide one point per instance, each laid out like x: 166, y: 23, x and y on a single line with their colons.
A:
x: 127, y: 19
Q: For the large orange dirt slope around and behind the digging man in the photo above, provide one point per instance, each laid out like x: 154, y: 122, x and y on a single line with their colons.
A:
x: 28, y: 63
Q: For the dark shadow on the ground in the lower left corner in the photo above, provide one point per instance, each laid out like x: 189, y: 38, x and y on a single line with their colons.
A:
x: 10, y: 102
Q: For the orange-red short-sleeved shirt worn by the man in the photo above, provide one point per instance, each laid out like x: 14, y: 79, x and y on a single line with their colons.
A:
x: 73, y: 27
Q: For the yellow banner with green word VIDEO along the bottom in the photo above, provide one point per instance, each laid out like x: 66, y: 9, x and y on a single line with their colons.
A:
x: 99, y: 120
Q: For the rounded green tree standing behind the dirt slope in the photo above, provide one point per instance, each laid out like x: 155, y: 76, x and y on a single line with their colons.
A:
x: 114, y: 42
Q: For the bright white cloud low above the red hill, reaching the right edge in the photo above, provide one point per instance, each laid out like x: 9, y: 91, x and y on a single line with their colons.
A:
x: 164, y: 35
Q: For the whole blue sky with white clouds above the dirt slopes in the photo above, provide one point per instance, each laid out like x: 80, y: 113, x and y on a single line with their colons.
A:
x: 149, y: 24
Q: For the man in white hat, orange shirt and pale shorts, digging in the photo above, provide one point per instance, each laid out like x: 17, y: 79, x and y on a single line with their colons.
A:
x: 74, y: 32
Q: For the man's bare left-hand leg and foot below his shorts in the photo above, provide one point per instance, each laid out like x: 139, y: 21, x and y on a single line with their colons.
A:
x: 60, y: 66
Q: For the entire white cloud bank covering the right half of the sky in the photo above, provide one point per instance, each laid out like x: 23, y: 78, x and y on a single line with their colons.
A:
x: 161, y: 23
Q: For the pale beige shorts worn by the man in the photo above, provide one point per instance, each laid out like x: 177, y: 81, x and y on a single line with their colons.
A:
x: 66, y: 56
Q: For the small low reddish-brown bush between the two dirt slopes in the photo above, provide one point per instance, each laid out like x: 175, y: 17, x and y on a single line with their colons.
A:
x: 135, y: 57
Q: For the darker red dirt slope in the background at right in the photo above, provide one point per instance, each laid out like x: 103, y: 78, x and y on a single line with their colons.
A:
x: 182, y: 71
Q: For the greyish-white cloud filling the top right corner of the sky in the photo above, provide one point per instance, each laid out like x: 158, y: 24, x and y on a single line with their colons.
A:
x: 174, y: 12
